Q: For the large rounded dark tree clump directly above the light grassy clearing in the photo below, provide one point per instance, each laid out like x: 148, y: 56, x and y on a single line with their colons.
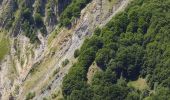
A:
x: 129, y: 61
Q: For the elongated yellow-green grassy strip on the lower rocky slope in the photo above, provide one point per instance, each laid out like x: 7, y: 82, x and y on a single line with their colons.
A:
x: 38, y: 74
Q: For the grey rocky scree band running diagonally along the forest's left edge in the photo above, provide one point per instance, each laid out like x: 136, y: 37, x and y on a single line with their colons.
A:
x: 95, y: 14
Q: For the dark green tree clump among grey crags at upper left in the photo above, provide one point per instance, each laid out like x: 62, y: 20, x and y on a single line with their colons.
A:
x: 30, y: 24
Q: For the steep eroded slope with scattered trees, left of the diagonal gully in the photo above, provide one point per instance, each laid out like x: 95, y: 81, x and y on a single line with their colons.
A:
x: 26, y: 24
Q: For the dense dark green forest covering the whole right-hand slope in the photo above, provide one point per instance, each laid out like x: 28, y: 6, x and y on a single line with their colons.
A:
x: 134, y: 44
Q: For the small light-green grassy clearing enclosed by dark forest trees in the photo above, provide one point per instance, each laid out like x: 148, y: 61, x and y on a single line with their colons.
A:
x: 139, y: 84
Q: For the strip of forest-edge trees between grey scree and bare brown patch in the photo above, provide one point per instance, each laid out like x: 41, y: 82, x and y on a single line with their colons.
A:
x: 75, y: 80
